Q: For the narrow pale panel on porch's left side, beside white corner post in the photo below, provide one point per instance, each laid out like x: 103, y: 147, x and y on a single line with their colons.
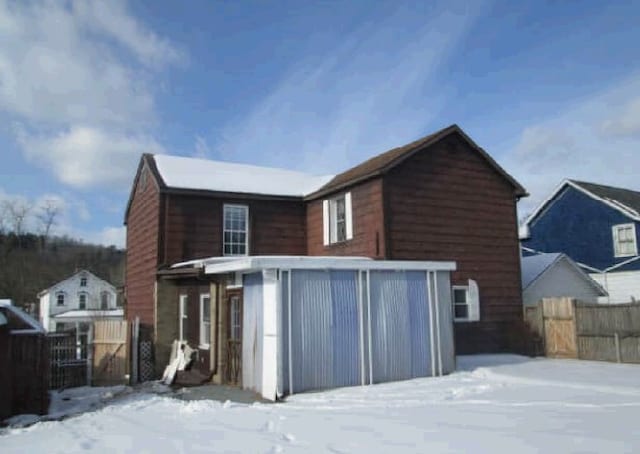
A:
x: 252, y: 332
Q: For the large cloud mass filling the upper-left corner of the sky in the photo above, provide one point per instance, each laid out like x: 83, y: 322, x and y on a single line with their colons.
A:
x: 78, y: 77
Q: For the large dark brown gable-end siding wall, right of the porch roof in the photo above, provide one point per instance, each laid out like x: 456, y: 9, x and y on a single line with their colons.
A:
x: 448, y: 203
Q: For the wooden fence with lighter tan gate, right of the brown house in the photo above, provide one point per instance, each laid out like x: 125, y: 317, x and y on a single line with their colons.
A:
x: 572, y: 329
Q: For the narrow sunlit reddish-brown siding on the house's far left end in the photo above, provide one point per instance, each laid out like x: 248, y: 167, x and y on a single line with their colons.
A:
x: 143, y: 226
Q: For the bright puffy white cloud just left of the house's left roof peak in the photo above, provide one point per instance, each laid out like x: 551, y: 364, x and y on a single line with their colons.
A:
x: 84, y: 156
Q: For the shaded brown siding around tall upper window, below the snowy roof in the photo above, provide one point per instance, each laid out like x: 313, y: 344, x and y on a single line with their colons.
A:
x: 194, y: 227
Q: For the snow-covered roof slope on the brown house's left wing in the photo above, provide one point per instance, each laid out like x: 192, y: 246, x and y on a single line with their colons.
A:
x: 206, y: 175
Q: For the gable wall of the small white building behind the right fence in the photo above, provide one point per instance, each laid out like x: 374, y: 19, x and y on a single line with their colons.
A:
x: 559, y: 280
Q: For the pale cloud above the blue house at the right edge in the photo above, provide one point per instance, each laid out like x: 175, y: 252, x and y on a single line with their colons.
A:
x: 594, y: 140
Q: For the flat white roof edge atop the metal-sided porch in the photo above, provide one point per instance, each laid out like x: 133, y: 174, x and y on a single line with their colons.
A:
x: 219, y: 265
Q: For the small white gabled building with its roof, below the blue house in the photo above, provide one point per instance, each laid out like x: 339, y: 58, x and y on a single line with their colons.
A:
x: 556, y: 275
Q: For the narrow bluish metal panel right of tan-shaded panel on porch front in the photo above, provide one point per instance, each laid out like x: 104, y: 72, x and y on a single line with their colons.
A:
x: 346, y: 329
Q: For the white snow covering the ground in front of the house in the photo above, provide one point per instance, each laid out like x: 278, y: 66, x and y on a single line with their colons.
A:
x: 494, y: 403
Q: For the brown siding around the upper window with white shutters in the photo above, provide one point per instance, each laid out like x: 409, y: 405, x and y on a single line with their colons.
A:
x: 368, y: 226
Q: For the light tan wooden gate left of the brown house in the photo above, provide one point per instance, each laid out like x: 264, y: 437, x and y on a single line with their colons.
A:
x: 110, y: 352
